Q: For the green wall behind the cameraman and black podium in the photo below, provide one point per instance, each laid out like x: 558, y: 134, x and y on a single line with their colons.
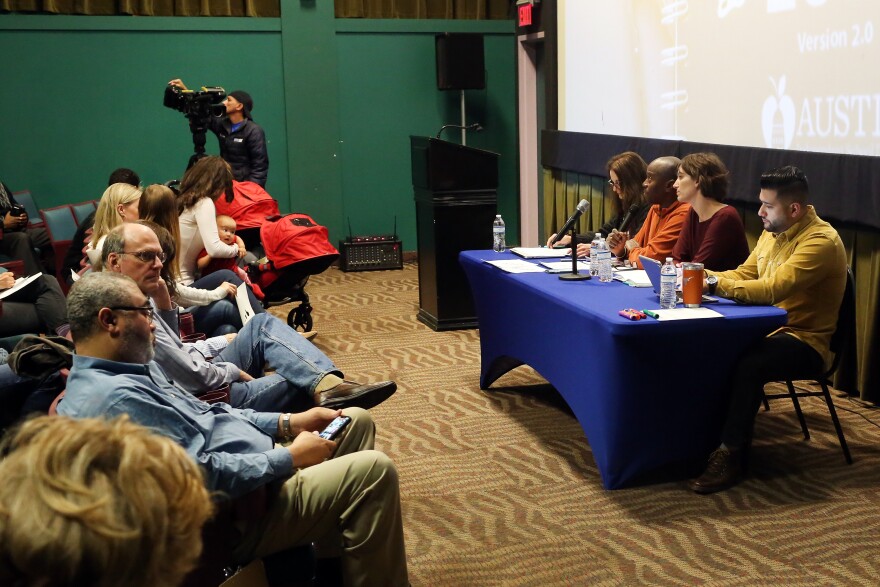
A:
x: 338, y: 100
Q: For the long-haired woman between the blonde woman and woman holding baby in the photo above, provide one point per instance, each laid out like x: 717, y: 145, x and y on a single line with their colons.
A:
x: 214, y: 310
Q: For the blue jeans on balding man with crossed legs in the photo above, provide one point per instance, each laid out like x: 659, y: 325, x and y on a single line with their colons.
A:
x: 298, y: 364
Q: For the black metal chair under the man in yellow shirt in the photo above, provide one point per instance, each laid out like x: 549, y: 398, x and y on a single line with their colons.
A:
x: 840, y: 343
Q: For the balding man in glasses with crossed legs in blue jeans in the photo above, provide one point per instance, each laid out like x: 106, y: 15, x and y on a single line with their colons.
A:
x: 303, y: 374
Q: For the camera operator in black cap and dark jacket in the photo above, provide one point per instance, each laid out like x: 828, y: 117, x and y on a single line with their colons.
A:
x: 242, y: 141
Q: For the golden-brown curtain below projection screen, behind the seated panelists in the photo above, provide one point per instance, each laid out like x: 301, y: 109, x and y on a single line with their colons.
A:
x: 859, y: 371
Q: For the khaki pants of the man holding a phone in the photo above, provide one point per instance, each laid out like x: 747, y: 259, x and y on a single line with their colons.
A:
x: 348, y: 506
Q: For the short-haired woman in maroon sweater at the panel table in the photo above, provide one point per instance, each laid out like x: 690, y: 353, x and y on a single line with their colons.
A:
x: 713, y: 233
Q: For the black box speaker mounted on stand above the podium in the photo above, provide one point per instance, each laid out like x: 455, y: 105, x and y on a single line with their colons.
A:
x: 460, y: 61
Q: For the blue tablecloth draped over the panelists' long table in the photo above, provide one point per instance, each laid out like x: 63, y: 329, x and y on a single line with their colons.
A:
x: 646, y: 393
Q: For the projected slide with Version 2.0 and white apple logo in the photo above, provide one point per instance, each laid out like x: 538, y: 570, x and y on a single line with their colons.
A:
x: 787, y: 74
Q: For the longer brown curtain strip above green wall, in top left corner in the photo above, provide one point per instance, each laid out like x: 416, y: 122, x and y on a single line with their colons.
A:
x: 267, y: 8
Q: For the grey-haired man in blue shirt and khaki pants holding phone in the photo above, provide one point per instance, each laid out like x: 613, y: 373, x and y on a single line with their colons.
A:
x: 341, y: 496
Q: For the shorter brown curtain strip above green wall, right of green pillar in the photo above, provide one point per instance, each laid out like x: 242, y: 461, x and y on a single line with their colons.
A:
x: 446, y: 9
